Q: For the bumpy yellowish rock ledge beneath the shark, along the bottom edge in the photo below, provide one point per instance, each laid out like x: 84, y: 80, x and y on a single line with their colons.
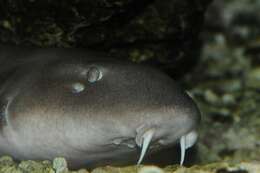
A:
x: 58, y: 166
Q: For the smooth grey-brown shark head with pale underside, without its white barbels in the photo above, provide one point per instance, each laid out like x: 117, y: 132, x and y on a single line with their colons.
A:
x: 91, y: 110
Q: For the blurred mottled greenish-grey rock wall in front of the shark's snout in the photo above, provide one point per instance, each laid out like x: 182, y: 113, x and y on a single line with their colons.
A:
x: 226, y: 86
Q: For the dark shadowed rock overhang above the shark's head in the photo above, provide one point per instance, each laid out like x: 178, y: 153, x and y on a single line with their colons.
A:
x: 164, y: 32
